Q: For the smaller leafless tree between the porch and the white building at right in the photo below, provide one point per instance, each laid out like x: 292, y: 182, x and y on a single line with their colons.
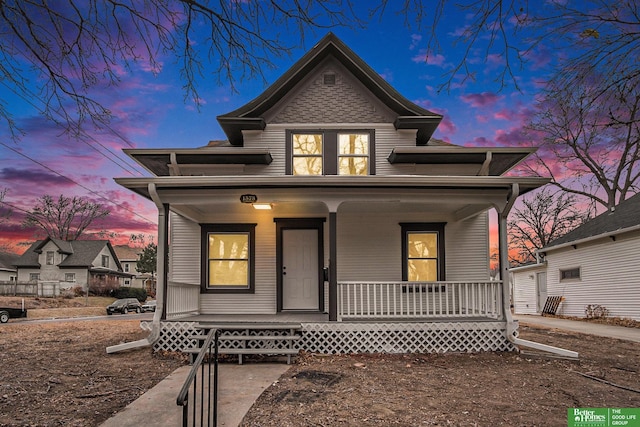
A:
x: 542, y: 218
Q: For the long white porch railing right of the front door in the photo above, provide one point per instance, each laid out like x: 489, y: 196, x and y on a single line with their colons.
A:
x: 419, y: 300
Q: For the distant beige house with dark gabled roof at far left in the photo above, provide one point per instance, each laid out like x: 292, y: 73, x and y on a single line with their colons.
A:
x: 57, y: 265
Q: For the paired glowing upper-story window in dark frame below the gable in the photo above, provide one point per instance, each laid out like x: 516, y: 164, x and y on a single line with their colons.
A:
x: 330, y: 152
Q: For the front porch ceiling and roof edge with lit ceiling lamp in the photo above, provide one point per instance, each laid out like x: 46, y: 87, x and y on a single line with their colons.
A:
x: 455, y: 198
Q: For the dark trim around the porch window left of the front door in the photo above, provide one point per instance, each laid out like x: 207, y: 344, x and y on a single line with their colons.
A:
x: 205, y: 229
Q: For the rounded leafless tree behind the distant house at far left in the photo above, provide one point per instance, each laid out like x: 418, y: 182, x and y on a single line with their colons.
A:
x: 66, y: 218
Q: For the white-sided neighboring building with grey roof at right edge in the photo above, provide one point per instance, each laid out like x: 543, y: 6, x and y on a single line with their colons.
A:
x: 595, y: 264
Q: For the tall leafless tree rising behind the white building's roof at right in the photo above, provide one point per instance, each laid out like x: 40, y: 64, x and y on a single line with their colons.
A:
x: 593, y: 139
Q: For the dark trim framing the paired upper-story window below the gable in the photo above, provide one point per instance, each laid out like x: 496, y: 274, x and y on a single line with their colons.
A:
x: 330, y: 155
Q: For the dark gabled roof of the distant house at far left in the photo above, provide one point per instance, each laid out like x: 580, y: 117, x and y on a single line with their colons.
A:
x: 80, y: 253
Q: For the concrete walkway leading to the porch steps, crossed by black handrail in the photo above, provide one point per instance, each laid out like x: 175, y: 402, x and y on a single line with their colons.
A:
x: 239, y: 386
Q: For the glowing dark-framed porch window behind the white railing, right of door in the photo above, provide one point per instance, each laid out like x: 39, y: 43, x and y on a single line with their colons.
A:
x: 423, y: 252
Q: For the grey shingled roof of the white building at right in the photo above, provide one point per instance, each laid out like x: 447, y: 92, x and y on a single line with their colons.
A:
x: 623, y: 217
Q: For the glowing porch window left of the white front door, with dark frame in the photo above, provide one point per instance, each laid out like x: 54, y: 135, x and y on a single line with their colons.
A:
x: 228, y: 258
